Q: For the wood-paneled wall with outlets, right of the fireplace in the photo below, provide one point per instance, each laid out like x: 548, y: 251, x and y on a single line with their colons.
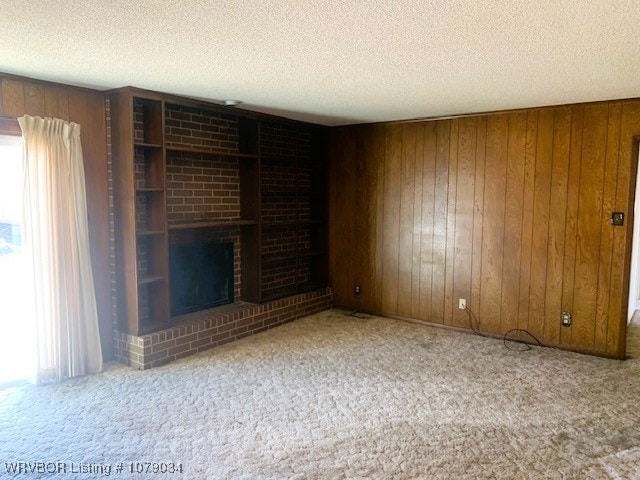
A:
x: 510, y: 211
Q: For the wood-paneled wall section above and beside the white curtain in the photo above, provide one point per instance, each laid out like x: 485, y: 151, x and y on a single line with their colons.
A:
x: 20, y: 96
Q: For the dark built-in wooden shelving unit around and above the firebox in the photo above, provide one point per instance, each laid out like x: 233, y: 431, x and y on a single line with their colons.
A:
x: 269, y: 177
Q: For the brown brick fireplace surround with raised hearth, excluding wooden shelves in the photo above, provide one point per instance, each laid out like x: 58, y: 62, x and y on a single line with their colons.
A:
x: 205, y: 187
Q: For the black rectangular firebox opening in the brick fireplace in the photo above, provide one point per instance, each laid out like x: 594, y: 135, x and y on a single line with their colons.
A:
x: 201, y: 276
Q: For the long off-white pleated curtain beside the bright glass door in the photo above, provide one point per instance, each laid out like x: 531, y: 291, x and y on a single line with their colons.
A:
x: 57, y: 237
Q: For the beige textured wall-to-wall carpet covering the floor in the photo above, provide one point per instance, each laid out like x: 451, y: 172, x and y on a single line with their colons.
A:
x: 333, y: 396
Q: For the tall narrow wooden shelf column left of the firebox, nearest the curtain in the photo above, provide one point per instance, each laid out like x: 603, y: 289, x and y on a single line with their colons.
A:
x: 138, y: 129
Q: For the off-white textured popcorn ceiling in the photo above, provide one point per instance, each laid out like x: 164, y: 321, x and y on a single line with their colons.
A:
x: 333, y: 61
